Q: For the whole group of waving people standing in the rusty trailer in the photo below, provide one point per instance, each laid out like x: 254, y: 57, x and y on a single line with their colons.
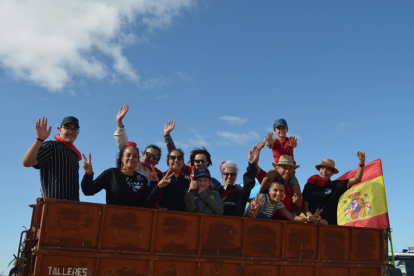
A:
x: 189, y: 187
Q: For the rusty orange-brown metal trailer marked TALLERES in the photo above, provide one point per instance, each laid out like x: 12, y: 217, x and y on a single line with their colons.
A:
x: 86, y: 239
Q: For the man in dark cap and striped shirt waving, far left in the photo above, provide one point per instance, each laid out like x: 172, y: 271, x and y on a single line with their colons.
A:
x: 58, y: 161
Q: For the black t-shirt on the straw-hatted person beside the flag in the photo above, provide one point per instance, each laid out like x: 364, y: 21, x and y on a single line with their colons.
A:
x: 325, y: 197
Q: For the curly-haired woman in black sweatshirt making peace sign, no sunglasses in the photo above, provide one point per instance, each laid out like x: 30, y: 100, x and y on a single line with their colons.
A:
x: 124, y: 186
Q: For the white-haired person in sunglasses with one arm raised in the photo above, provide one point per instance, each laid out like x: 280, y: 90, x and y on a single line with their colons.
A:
x: 234, y: 199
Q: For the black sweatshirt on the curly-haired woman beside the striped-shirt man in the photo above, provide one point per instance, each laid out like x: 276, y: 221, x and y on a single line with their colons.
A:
x: 121, y: 189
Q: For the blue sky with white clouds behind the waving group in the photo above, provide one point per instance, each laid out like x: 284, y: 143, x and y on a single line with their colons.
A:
x: 340, y: 73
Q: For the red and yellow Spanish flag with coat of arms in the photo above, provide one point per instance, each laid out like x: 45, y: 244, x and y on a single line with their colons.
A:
x: 365, y: 204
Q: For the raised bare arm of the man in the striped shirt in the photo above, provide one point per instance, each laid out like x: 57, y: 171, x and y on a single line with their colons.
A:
x: 42, y: 133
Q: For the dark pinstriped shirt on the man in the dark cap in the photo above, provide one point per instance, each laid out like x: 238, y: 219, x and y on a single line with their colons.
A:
x: 59, y: 171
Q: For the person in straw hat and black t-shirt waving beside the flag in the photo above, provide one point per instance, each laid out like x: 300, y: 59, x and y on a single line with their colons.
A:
x: 322, y: 193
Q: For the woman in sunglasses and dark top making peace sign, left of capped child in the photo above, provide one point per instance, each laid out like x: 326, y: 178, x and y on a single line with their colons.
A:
x: 171, y: 190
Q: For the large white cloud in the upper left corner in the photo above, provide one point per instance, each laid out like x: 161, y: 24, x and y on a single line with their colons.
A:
x: 49, y: 42
